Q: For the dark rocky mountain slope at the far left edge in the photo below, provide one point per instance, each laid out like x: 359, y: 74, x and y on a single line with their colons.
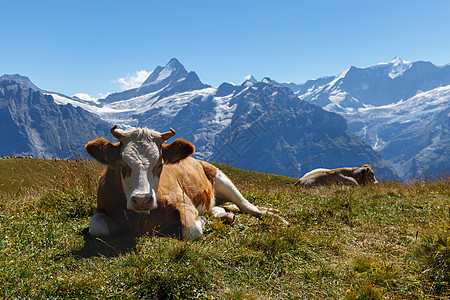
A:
x: 31, y: 123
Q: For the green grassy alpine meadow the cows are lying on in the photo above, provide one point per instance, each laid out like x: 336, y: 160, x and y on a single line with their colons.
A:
x: 389, y: 241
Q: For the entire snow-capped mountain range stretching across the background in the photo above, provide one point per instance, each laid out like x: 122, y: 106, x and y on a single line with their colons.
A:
x: 286, y: 129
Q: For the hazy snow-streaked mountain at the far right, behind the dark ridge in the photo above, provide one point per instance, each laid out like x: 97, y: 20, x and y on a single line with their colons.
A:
x: 401, y: 108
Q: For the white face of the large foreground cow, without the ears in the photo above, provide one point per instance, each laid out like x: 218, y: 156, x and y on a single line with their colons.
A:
x: 140, y: 169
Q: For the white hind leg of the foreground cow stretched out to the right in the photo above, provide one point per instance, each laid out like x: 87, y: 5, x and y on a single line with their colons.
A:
x: 225, y: 189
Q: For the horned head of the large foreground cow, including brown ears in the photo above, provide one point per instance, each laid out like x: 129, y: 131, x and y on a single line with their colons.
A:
x: 139, y: 157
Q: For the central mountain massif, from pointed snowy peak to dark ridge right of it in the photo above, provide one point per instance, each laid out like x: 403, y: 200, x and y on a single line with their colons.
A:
x: 237, y: 123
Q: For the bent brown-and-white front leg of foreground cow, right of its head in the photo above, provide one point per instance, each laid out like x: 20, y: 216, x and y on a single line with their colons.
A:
x: 191, y: 224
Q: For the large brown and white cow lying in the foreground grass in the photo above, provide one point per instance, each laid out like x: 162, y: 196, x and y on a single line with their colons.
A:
x: 151, y: 187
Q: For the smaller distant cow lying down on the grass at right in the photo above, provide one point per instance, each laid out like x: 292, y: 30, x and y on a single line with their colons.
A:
x: 347, y: 176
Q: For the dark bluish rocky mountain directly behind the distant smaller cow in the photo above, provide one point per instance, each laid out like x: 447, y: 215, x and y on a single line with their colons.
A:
x: 271, y: 130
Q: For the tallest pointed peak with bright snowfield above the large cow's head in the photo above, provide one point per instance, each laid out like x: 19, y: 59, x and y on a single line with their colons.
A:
x: 166, y: 90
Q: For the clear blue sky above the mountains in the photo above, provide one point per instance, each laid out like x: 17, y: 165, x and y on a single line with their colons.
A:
x: 96, y: 47
